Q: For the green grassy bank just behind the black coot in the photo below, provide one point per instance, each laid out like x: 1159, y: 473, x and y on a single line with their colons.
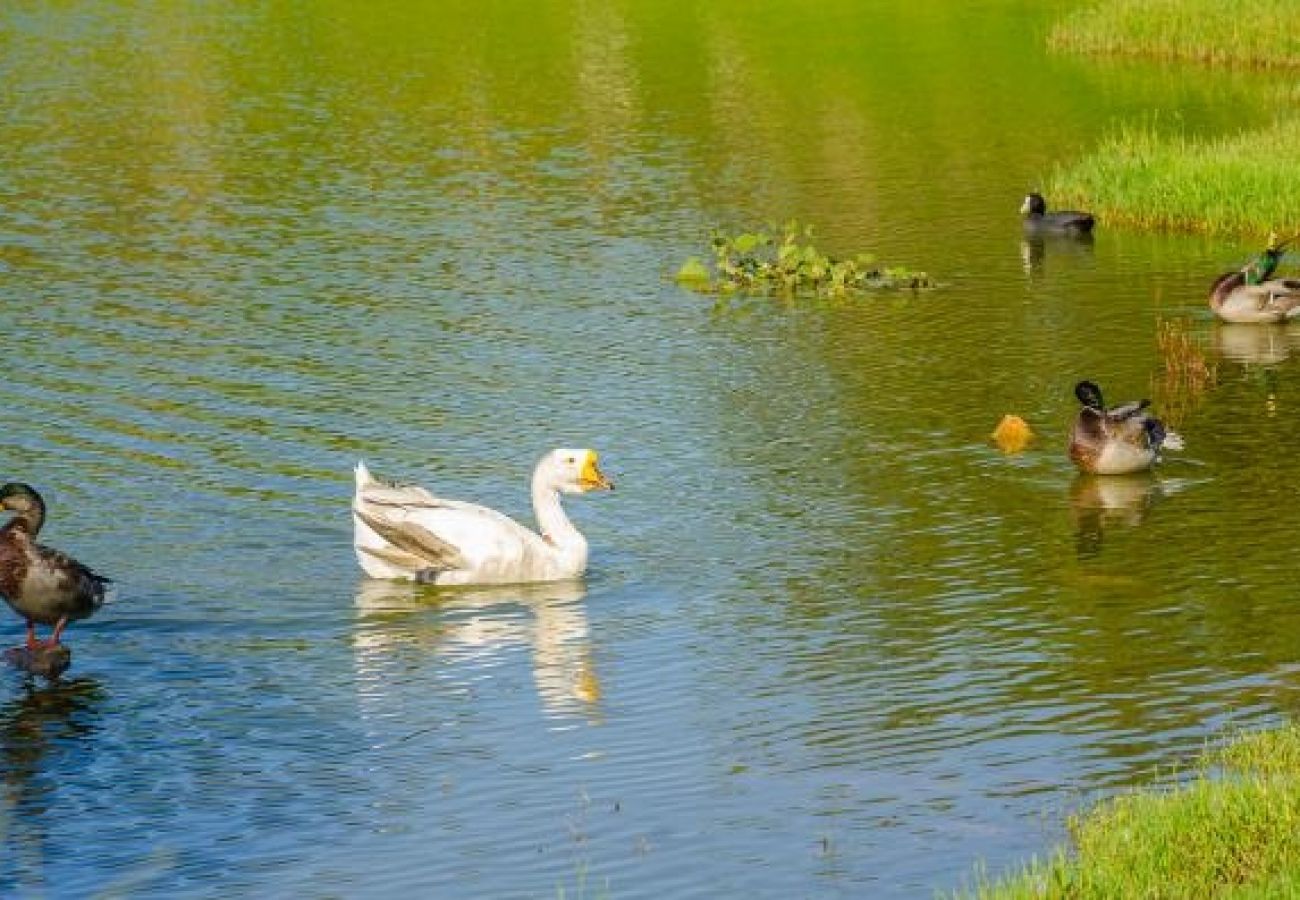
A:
x: 1243, y: 184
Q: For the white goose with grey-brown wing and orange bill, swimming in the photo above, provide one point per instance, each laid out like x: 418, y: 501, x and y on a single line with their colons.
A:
x: 406, y: 533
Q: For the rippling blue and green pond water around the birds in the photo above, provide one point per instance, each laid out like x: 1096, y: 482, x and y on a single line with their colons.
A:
x: 833, y: 643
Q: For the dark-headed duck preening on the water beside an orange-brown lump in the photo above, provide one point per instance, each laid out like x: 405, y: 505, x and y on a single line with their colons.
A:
x: 1120, y: 440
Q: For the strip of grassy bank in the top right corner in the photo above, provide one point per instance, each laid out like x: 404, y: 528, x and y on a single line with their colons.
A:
x: 1246, y: 33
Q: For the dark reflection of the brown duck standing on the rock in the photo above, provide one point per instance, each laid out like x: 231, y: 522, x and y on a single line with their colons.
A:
x: 45, y: 737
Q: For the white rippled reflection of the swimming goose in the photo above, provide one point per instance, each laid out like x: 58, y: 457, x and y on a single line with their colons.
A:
x: 474, y: 626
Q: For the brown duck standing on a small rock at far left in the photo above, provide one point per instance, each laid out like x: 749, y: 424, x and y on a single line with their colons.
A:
x: 40, y: 583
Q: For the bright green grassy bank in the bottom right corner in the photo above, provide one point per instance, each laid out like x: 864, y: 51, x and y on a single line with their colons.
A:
x: 1233, y: 830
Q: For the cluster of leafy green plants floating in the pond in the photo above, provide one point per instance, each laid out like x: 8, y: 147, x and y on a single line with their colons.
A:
x: 785, y: 262
